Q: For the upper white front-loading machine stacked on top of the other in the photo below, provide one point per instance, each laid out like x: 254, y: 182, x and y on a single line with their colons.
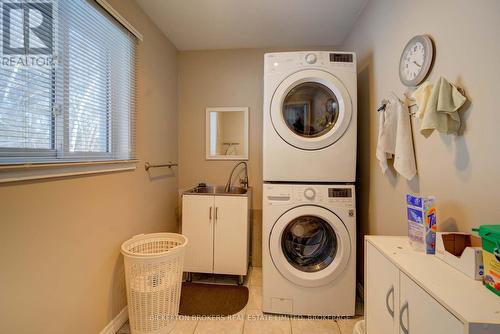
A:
x: 310, y: 116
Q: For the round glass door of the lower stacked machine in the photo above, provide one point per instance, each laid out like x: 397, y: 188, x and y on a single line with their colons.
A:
x: 310, y: 246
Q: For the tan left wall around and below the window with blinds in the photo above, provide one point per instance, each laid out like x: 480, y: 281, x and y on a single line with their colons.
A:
x: 61, y: 268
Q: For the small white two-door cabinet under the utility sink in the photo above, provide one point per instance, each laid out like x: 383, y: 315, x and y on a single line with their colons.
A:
x: 217, y: 228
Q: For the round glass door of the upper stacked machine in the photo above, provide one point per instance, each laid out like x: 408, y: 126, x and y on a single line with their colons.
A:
x: 311, y: 109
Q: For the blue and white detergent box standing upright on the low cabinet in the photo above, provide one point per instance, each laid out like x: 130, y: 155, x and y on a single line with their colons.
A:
x: 421, y: 214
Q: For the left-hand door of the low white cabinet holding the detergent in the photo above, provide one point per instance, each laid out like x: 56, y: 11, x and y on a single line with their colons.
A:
x: 382, y: 293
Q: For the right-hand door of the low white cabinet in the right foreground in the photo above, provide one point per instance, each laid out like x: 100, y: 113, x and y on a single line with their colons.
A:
x: 422, y: 314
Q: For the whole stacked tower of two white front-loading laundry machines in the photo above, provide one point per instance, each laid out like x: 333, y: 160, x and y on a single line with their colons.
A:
x: 309, y: 166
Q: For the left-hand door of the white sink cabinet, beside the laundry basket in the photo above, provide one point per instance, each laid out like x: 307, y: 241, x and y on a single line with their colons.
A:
x: 197, y: 226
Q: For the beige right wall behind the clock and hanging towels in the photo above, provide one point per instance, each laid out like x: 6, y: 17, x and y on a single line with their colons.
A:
x: 462, y: 171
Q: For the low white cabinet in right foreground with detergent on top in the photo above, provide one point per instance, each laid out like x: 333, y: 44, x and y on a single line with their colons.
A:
x: 408, y: 292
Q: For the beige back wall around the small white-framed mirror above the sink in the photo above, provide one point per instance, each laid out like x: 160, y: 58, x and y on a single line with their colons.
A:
x: 223, y: 78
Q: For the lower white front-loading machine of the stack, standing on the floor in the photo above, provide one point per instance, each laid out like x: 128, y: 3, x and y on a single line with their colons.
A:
x: 309, y: 249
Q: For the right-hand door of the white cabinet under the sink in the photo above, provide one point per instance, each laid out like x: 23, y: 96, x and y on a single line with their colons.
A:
x: 231, y: 235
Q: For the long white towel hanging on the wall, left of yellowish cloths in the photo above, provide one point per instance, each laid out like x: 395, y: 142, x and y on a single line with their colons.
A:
x: 395, y: 139
